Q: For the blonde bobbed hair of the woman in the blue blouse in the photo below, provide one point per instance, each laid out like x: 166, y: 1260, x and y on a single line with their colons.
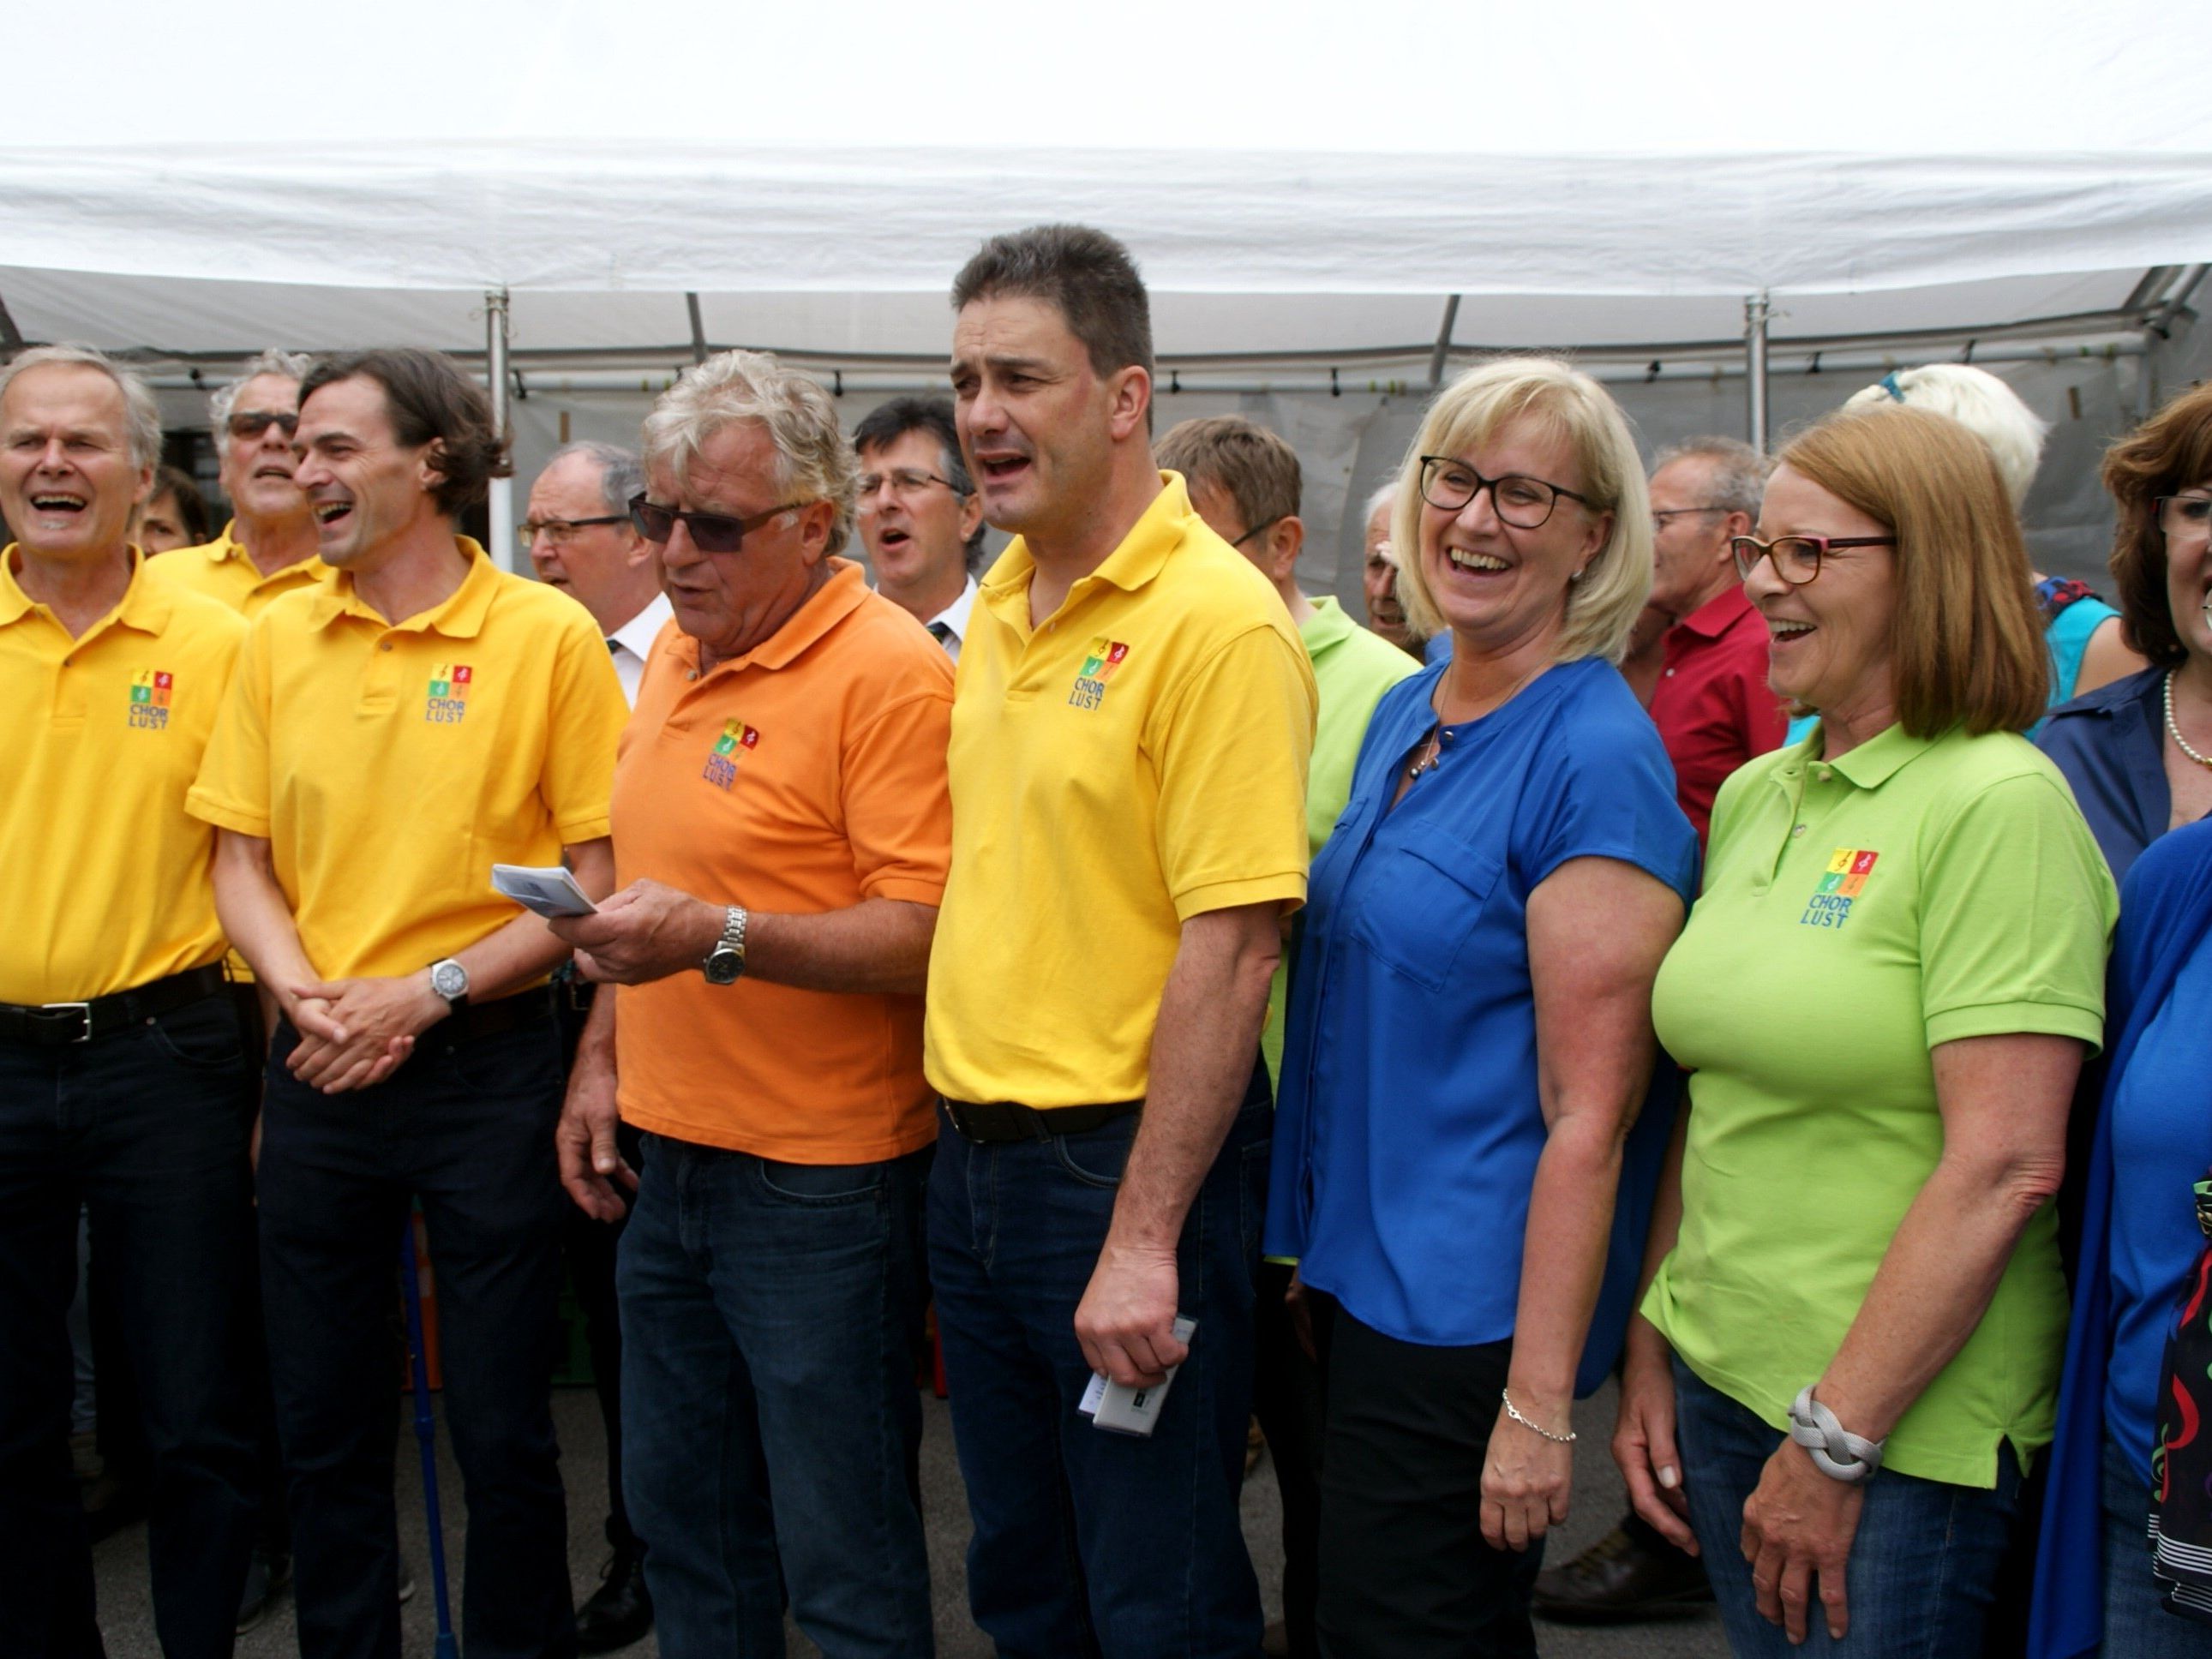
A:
x: 1565, y: 404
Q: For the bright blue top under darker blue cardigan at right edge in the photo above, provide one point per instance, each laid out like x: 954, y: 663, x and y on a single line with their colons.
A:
x: 2162, y: 1145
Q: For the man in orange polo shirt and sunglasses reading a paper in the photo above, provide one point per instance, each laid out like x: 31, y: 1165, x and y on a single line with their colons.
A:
x: 782, y: 833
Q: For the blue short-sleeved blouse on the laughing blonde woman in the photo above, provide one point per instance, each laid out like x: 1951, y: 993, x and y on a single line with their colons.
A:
x: 1410, y: 1127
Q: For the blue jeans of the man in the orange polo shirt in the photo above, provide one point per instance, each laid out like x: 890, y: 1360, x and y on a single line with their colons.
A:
x: 771, y: 1319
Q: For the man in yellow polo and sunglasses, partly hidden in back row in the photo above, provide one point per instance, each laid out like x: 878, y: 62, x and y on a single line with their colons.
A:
x: 269, y: 545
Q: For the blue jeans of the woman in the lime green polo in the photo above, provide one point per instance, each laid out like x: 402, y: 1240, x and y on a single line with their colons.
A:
x: 1921, y: 1567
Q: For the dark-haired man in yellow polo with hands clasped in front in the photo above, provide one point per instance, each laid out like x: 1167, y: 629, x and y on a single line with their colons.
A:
x: 393, y: 733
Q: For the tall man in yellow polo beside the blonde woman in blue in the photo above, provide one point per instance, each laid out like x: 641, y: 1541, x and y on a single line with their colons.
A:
x: 1129, y: 755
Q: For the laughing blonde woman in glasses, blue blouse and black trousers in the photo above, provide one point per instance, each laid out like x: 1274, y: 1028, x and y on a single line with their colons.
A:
x: 1470, y: 1025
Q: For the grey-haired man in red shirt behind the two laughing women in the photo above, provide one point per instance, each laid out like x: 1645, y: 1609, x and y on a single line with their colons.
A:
x: 1713, y: 705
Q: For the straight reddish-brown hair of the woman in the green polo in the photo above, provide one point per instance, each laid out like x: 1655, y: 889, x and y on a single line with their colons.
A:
x: 1970, y: 643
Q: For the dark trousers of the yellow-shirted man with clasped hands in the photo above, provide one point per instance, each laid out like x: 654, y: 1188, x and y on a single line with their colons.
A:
x: 468, y: 1129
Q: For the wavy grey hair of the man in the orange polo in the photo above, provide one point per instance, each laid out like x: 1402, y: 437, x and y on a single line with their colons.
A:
x: 815, y: 461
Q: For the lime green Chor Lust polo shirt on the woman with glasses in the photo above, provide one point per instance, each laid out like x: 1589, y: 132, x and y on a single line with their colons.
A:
x: 1859, y: 912
